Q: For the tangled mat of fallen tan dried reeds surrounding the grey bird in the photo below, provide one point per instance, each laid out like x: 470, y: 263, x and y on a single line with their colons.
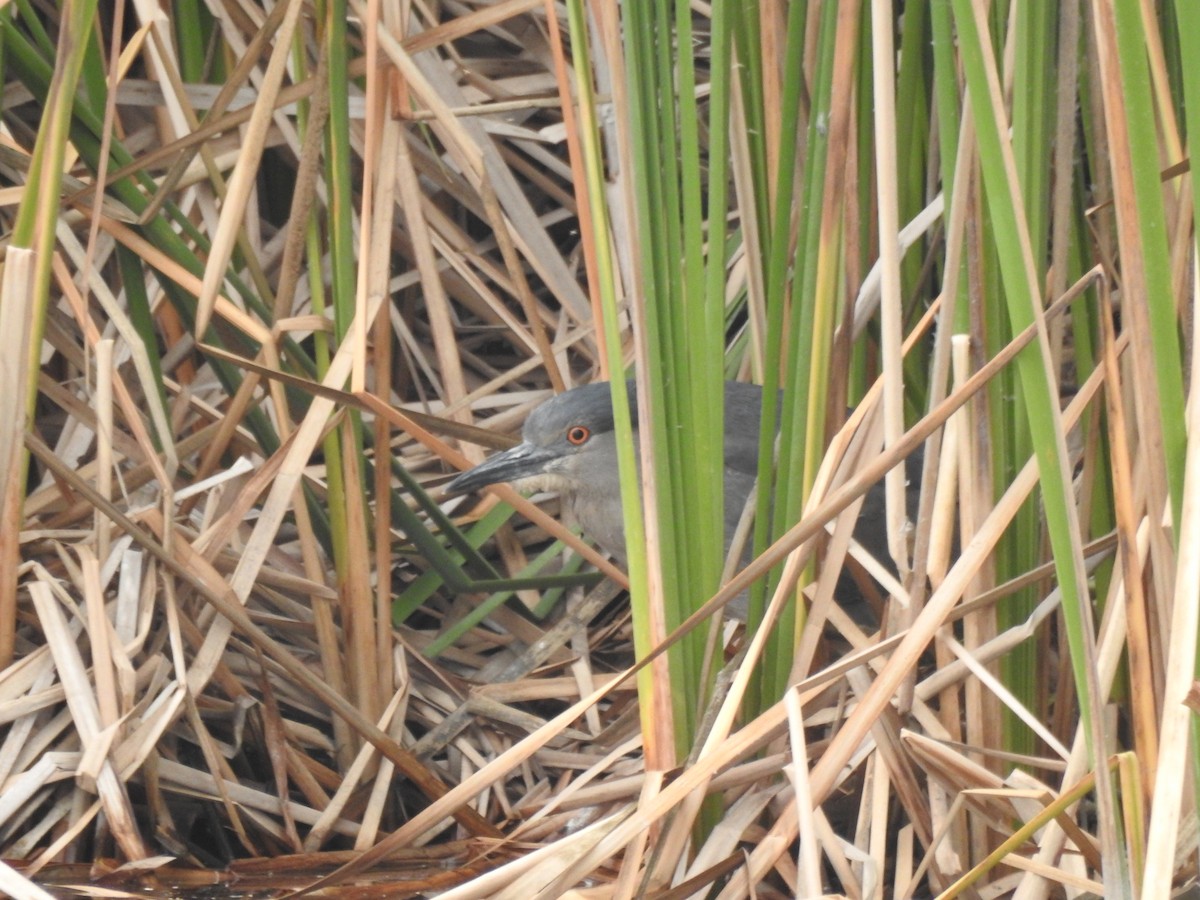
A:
x: 194, y: 689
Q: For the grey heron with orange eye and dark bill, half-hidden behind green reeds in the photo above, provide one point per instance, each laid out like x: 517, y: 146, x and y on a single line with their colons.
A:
x: 569, y: 447
